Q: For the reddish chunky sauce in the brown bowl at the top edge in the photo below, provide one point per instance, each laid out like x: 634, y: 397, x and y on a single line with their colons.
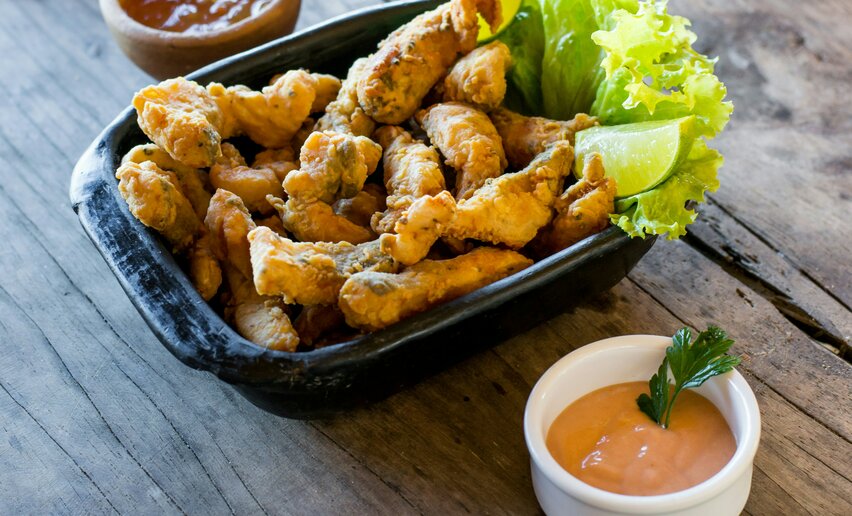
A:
x: 192, y: 16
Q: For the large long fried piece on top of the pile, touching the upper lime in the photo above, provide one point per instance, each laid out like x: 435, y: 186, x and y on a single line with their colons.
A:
x: 414, y: 57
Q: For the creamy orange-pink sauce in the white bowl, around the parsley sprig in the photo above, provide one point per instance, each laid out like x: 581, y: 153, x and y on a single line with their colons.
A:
x: 604, y: 440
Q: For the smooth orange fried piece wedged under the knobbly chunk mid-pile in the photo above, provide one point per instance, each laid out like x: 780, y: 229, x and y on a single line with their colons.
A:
x: 315, y: 221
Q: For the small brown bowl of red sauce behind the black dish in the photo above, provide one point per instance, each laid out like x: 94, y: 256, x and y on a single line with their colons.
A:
x: 165, y: 54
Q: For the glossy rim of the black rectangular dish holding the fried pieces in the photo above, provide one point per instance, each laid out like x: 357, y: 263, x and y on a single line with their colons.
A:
x: 237, y: 360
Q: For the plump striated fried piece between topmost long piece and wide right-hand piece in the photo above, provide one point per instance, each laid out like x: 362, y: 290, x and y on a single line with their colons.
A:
x: 469, y: 142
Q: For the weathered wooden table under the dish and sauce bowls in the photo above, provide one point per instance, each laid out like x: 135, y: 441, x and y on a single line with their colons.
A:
x: 96, y: 416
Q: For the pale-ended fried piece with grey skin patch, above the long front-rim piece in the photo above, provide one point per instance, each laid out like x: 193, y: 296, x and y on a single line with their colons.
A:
x: 309, y: 273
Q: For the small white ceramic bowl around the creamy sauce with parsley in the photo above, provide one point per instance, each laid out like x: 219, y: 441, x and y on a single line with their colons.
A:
x: 626, y: 359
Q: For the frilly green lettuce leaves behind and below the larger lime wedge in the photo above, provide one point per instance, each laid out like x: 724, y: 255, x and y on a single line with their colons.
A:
x: 624, y: 61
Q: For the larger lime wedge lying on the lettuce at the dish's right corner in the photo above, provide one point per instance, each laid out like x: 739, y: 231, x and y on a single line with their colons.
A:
x: 638, y: 156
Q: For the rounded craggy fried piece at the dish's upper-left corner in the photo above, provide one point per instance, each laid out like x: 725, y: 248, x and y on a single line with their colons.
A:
x: 182, y: 119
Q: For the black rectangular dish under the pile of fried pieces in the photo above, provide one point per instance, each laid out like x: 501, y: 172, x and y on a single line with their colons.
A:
x: 314, y: 383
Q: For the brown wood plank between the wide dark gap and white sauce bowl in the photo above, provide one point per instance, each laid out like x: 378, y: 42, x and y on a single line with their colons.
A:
x: 698, y: 293
